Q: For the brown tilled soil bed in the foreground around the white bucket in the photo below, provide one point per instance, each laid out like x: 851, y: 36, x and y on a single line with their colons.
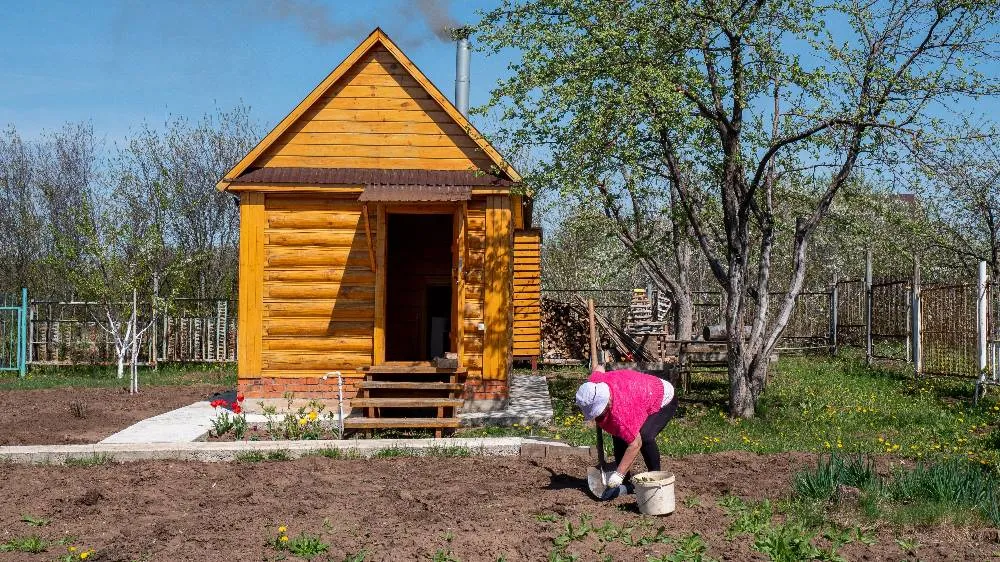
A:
x: 398, y: 509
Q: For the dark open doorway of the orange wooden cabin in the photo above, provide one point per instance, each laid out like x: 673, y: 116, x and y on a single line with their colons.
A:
x: 418, y: 287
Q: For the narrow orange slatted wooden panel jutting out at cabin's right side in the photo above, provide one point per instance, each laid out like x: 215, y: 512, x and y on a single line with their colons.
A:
x: 527, y: 293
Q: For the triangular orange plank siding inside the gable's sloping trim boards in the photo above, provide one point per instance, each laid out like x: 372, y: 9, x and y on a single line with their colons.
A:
x: 376, y: 116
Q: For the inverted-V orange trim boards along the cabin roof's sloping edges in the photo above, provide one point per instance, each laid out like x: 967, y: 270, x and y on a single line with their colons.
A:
x: 376, y: 38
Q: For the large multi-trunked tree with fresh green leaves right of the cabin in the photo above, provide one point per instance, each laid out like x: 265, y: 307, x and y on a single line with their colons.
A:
x: 731, y: 103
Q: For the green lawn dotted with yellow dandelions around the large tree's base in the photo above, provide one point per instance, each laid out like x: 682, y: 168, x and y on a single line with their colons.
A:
x: 812, y: 404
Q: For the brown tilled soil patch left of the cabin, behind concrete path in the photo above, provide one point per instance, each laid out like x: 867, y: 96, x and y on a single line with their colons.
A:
x: 61, y: 416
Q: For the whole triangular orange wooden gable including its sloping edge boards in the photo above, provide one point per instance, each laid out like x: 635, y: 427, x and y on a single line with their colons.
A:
x: 375, y: 110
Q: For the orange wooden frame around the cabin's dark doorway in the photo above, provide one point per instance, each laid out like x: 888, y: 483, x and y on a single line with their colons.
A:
x: 457, y: 210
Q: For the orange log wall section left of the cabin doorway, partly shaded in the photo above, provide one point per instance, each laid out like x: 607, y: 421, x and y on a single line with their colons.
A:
x: 318, y: 287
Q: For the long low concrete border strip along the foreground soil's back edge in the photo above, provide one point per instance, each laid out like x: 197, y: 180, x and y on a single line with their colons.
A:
x: 236, y: 450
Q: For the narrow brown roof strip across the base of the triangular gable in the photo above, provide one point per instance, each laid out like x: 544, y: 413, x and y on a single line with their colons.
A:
x: 372, y: 176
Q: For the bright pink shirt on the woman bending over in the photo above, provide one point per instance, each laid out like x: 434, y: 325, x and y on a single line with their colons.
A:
x: 634, y: 396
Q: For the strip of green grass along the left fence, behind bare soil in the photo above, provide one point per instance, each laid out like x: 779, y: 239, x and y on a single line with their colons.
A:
x: 106, y: 376
